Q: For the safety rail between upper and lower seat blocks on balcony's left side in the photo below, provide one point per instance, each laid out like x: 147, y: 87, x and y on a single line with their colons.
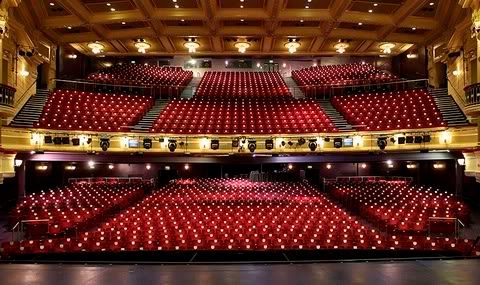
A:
x: 156, y: 91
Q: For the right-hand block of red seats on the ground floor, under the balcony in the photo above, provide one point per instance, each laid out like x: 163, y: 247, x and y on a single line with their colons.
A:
x: 399, y: 206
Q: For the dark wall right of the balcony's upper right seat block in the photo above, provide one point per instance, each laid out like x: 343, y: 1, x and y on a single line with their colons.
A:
x: 411, y: 68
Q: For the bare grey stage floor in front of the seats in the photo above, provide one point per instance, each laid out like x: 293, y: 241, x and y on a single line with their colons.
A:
x: 464, y: 271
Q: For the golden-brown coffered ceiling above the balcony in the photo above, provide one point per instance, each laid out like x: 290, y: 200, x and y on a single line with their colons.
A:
x: 266, y: 24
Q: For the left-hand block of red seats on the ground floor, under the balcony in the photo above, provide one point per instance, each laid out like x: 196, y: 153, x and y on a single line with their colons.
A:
x: 76, y: 204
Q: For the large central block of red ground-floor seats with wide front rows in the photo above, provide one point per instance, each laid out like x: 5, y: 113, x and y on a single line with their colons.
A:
x: 232, y: 214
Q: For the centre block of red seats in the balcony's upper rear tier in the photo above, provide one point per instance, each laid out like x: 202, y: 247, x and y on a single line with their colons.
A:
x: 242, y: 84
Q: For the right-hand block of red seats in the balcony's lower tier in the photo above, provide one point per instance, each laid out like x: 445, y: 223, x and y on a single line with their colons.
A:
x: 407, y: 109
